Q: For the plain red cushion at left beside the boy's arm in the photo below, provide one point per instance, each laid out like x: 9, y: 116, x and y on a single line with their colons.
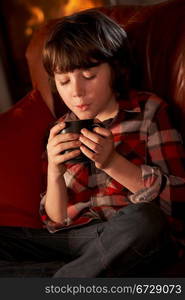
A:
x: 21, y: 145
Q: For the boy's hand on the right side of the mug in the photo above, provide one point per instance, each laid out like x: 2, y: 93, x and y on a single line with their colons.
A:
x: 100, y: 145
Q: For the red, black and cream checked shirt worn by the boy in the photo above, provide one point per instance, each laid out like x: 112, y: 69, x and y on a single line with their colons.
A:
x: 144, y: 135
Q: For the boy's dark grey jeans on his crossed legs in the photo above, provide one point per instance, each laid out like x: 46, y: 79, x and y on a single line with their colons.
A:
x: 132, y: 243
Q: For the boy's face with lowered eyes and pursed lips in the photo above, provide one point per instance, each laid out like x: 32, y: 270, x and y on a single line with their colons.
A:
x: 87, y: 92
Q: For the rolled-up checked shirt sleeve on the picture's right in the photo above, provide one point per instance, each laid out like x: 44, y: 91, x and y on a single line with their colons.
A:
x: 164, y: 172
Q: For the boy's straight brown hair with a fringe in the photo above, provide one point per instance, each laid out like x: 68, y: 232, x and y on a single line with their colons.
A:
x: 85, y: 39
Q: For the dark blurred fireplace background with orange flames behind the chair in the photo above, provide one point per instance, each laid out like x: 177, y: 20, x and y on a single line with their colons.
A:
x: 18, y: 21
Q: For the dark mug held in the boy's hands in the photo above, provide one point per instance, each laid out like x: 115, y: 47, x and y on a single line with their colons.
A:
x: 76, y: 127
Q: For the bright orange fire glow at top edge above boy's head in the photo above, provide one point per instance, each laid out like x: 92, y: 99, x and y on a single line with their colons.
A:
x: 75, y: 5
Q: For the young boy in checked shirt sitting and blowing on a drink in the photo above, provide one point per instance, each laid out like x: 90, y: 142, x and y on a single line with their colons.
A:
x: 108, y: 218
